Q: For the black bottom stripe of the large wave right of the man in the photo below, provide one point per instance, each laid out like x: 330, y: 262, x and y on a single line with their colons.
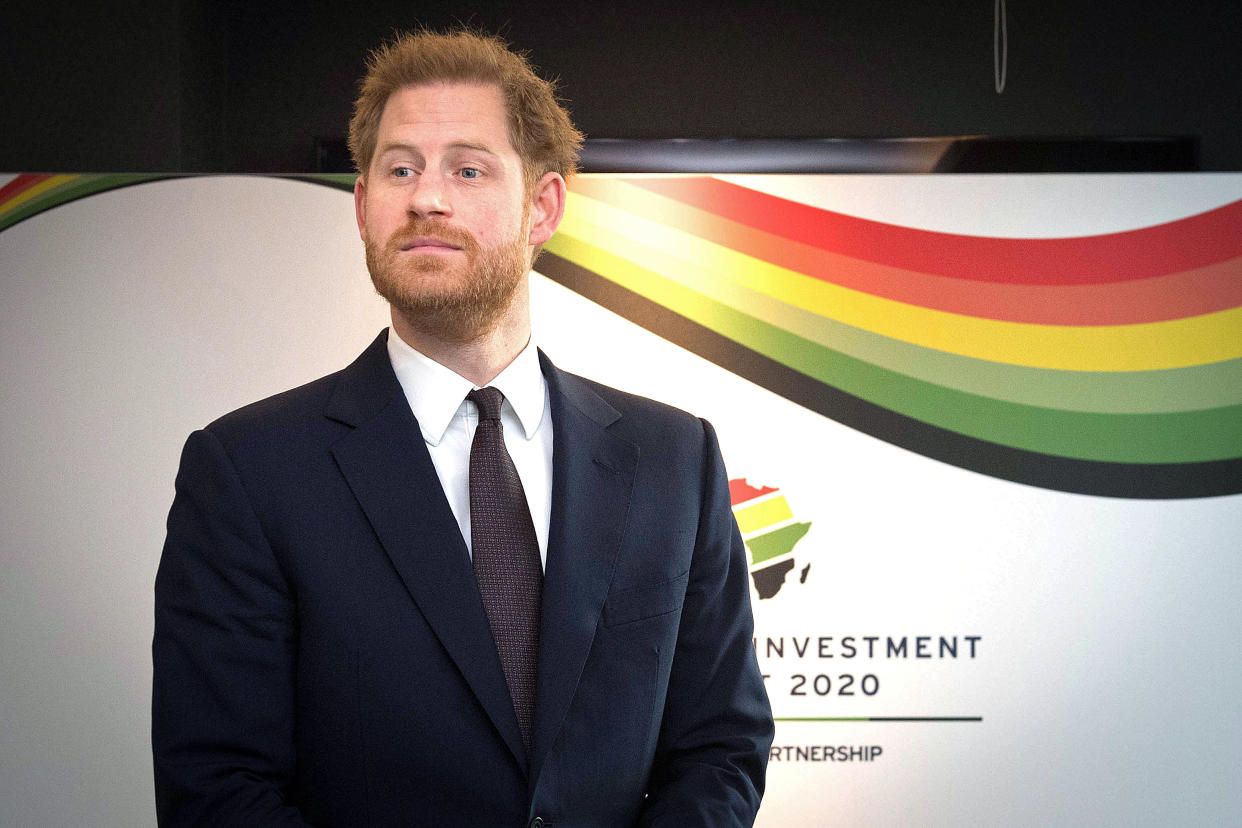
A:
x: 1140, y: 481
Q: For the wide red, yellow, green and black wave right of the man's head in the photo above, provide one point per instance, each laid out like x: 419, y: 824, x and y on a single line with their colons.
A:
x: 1106, y: 366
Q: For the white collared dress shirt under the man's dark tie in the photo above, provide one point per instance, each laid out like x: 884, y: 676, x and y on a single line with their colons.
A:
x: 448, y: 420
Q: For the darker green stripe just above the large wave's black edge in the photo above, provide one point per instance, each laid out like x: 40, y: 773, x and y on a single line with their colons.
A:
x: 1179, y: 438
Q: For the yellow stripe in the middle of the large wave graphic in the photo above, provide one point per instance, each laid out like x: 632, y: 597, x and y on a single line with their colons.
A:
x: 707, y: 268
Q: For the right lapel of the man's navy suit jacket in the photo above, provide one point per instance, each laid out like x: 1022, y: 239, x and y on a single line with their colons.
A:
x: 593, y: 477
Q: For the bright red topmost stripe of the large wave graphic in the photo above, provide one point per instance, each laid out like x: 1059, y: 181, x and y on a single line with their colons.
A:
x: 1184, y: 245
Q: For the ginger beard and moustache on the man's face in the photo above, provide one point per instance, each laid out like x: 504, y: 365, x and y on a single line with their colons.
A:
x: 453, y: 301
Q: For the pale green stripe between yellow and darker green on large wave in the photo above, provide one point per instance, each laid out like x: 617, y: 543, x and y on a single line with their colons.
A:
x: 1187, y: 389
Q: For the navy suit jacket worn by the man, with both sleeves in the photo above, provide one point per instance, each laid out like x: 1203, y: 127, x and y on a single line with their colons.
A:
x: 322, y: 655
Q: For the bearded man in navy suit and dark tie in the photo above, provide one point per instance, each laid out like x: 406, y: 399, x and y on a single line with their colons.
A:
x: 391, y: 599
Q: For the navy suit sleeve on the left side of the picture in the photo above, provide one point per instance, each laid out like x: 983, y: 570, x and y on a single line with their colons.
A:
x: 224, y: 656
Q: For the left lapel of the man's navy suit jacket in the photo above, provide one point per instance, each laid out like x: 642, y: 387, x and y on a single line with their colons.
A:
x: 391, y: 474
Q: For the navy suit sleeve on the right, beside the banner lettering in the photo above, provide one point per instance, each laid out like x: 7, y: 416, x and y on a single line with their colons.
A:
x: 717, y: 728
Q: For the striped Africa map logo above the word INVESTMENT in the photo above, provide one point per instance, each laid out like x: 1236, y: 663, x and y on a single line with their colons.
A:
x: 771, y: 533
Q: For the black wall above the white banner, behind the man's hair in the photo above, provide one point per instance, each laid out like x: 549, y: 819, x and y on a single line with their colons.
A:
x: 197, y: 86
